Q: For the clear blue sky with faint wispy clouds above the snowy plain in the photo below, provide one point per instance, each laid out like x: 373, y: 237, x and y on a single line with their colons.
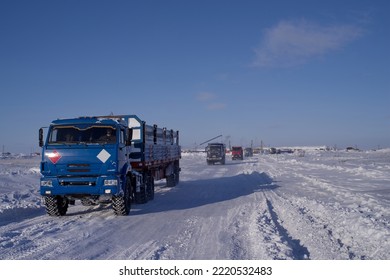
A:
x: 283, y: 72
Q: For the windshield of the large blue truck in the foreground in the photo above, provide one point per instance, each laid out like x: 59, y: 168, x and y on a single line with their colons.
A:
x: 82, y: 135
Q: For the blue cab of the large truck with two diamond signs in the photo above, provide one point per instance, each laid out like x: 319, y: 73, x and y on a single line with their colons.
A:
x: 85, y: 159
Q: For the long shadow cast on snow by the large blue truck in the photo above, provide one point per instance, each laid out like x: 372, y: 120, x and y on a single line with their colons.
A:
x: 191, y: 194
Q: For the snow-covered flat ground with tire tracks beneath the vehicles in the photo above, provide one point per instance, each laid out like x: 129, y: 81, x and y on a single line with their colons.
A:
x: 323, y: 205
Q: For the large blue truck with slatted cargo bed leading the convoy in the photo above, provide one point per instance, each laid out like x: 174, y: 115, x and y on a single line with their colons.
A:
x: 105, y: 159
